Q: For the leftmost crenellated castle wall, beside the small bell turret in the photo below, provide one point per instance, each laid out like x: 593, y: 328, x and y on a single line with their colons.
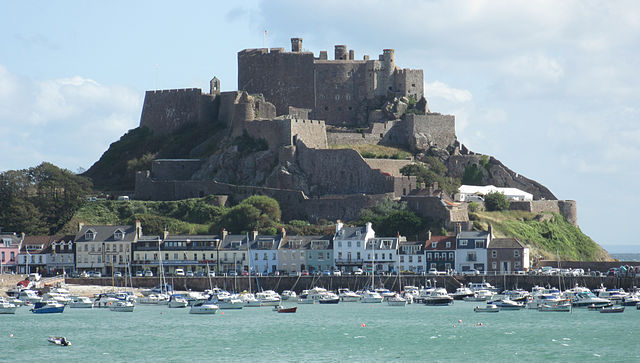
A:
x: 167, y: 110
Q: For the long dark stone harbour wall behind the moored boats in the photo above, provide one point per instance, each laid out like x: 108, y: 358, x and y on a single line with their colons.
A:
x: 299, y: 283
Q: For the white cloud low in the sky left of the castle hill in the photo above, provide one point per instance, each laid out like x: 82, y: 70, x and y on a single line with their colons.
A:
x: 67, y: 121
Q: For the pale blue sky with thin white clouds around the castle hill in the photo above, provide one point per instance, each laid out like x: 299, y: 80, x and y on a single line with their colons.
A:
x: 550, y: 88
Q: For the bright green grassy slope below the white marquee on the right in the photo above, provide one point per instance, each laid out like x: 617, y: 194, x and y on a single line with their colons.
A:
x: 544, y: 234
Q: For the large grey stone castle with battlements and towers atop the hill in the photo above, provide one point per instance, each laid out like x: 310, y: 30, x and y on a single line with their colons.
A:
x: 301, y: 107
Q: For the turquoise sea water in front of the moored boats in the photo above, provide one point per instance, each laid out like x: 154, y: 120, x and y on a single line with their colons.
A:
x: 353, y: 332
